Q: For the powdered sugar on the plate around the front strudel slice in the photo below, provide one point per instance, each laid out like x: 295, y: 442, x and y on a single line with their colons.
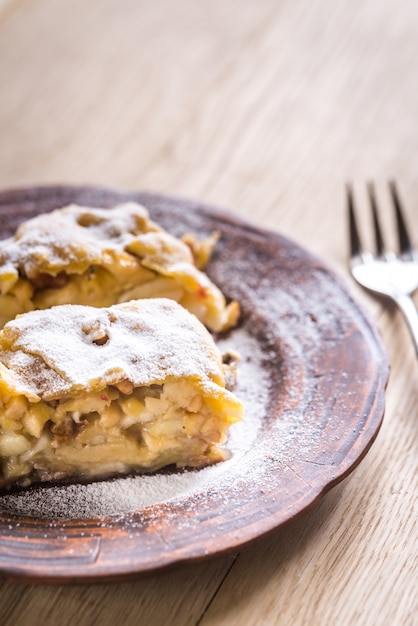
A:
x: 125, y: 495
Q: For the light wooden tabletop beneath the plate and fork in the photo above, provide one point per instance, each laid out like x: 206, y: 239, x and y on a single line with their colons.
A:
x: 265, y: 108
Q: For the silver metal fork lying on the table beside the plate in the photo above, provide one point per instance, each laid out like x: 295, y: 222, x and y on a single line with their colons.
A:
x: 386, y: 273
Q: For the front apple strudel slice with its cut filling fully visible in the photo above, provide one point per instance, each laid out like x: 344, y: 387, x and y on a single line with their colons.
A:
x: 87, y: 393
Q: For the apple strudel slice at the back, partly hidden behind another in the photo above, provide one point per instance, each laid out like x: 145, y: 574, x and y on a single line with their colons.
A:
x: 99, y: 257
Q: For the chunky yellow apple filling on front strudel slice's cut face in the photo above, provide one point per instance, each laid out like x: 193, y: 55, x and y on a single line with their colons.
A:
x: 119, y: 429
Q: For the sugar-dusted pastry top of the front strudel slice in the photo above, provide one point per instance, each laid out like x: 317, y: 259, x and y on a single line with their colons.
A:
x: 69, y: 348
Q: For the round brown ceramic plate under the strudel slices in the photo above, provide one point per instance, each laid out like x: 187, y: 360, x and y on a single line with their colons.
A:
x: 312, y: 377
